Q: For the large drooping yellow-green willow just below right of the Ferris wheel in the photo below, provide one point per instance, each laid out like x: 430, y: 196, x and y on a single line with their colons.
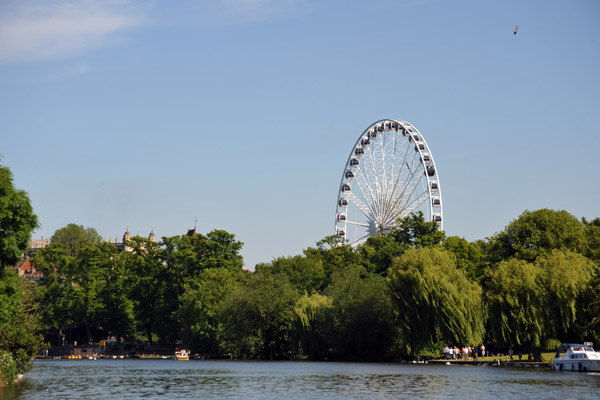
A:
x: 436, y: 303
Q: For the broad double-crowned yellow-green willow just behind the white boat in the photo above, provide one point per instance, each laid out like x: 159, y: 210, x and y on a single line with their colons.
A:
x: 531, y: 303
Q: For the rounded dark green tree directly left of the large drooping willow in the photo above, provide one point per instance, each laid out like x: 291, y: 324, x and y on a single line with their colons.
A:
x: 362, y: 314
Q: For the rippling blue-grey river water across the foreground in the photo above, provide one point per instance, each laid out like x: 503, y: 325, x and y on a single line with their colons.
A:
x: 170, y: 379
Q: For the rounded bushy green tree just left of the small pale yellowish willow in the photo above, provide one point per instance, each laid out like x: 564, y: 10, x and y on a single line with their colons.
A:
x: 258, y: 318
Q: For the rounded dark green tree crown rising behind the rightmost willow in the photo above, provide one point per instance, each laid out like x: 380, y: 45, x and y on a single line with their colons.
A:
x: 536, y: 233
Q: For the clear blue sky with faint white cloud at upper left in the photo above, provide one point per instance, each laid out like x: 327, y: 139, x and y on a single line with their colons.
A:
x: 242, y: 113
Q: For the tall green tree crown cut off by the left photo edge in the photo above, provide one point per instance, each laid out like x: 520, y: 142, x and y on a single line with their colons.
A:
x: 17, y: 220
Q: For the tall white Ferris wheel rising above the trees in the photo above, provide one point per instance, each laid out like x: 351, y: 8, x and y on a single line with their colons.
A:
x: 389, y: 174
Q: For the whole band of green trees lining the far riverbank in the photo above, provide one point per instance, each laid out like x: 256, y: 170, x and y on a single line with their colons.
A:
x: 407, y: 293
